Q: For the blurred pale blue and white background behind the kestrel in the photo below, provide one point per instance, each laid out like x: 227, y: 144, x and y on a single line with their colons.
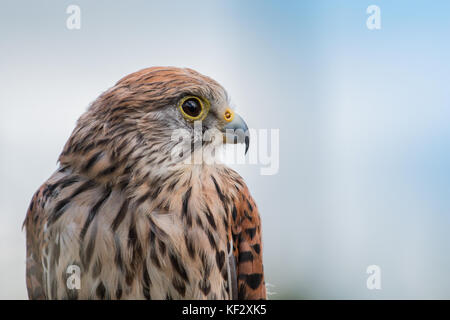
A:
x: 363, y: 116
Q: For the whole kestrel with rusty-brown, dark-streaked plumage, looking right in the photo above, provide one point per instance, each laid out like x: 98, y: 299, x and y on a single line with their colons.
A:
x: 137, y: 222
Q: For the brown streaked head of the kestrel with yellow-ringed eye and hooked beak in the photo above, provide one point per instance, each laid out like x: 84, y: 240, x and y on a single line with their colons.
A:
x: 131, y: 126
